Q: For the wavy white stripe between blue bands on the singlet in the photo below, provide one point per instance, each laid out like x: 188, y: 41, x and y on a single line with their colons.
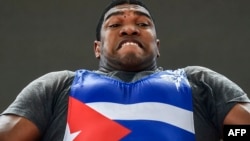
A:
x: 147, y: 111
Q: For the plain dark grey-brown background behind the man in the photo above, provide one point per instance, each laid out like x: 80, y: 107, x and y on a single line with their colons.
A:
x: 37, y: 37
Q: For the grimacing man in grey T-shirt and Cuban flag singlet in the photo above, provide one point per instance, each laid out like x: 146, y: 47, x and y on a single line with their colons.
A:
x: 128, y: 98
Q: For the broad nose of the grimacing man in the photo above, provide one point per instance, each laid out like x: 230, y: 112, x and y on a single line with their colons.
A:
x: 129, y: 30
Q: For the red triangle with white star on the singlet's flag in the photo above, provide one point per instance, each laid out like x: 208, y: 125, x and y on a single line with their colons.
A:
x: 93, y: 125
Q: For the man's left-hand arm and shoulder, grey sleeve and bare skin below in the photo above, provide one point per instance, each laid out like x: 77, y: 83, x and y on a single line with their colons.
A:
x: 38, y: 101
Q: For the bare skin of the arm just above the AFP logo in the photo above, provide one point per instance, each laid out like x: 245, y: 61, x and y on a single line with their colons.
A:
x: 239, y: 114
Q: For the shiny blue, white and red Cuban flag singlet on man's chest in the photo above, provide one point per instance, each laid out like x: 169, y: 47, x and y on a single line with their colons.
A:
x: 157, y: 107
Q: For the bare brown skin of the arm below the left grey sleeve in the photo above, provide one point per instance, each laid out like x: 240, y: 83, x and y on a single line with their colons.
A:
x: 16, y: 128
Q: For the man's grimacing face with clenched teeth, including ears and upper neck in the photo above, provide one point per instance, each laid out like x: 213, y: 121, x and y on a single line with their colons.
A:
x: 128, y: 40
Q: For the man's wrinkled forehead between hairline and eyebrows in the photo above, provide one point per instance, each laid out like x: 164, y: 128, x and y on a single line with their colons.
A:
x: 121, y: 9
